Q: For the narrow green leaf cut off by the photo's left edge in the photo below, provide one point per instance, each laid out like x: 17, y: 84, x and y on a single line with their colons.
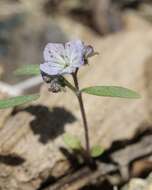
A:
x: 16, y: 101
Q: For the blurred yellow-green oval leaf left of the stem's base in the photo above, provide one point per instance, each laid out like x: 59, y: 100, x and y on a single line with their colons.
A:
x: 72, y: 141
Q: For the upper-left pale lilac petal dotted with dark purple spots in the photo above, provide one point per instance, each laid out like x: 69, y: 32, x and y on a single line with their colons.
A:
x: 54, y: 52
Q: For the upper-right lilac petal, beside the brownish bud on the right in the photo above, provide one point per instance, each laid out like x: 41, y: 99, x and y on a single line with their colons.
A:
x: 75, y: 52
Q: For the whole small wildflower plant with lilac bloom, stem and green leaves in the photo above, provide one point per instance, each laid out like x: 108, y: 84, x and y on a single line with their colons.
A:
x: 61, y: 60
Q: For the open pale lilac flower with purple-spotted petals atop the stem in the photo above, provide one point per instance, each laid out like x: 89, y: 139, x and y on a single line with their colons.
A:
x: 60, y: 59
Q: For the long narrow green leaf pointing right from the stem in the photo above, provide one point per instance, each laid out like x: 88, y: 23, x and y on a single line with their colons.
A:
x: 111, y: 91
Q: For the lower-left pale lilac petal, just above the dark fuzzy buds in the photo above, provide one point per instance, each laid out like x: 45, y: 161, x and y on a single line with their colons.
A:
x: 50, y: 69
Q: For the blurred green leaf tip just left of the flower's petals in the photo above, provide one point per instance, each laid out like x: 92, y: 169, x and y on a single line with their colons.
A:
x: 28, y: 70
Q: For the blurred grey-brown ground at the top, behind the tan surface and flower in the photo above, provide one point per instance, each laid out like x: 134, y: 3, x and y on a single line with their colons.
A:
x: 27, y: 25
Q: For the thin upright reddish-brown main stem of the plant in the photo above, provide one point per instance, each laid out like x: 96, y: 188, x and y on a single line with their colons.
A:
x: 80, y: 100
